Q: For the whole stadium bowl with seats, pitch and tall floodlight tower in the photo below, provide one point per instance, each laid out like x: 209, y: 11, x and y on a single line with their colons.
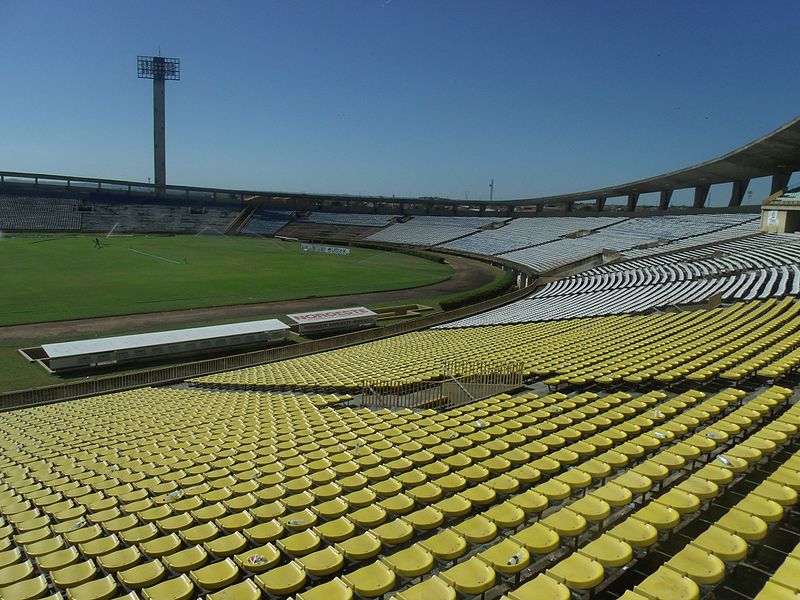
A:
x: 231, y: 394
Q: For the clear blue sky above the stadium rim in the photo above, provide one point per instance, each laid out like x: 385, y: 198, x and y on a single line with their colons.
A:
x: 405, y: 97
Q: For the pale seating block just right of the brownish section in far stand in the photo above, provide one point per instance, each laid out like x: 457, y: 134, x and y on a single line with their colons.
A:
x: 430, y: 231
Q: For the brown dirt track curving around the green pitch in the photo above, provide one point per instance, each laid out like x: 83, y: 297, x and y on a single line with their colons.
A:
x: 468, y: 274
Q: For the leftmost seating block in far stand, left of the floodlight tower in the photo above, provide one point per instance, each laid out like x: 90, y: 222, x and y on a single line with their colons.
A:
x: 38, y: 213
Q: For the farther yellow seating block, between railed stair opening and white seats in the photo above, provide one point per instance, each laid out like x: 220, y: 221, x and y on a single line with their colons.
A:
x: 732, y: 343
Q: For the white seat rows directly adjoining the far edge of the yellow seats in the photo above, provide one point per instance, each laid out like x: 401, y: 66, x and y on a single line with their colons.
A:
x: 757, y: 267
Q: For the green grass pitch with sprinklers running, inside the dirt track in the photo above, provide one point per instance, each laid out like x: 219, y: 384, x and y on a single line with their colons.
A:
x: 49, y: 278
